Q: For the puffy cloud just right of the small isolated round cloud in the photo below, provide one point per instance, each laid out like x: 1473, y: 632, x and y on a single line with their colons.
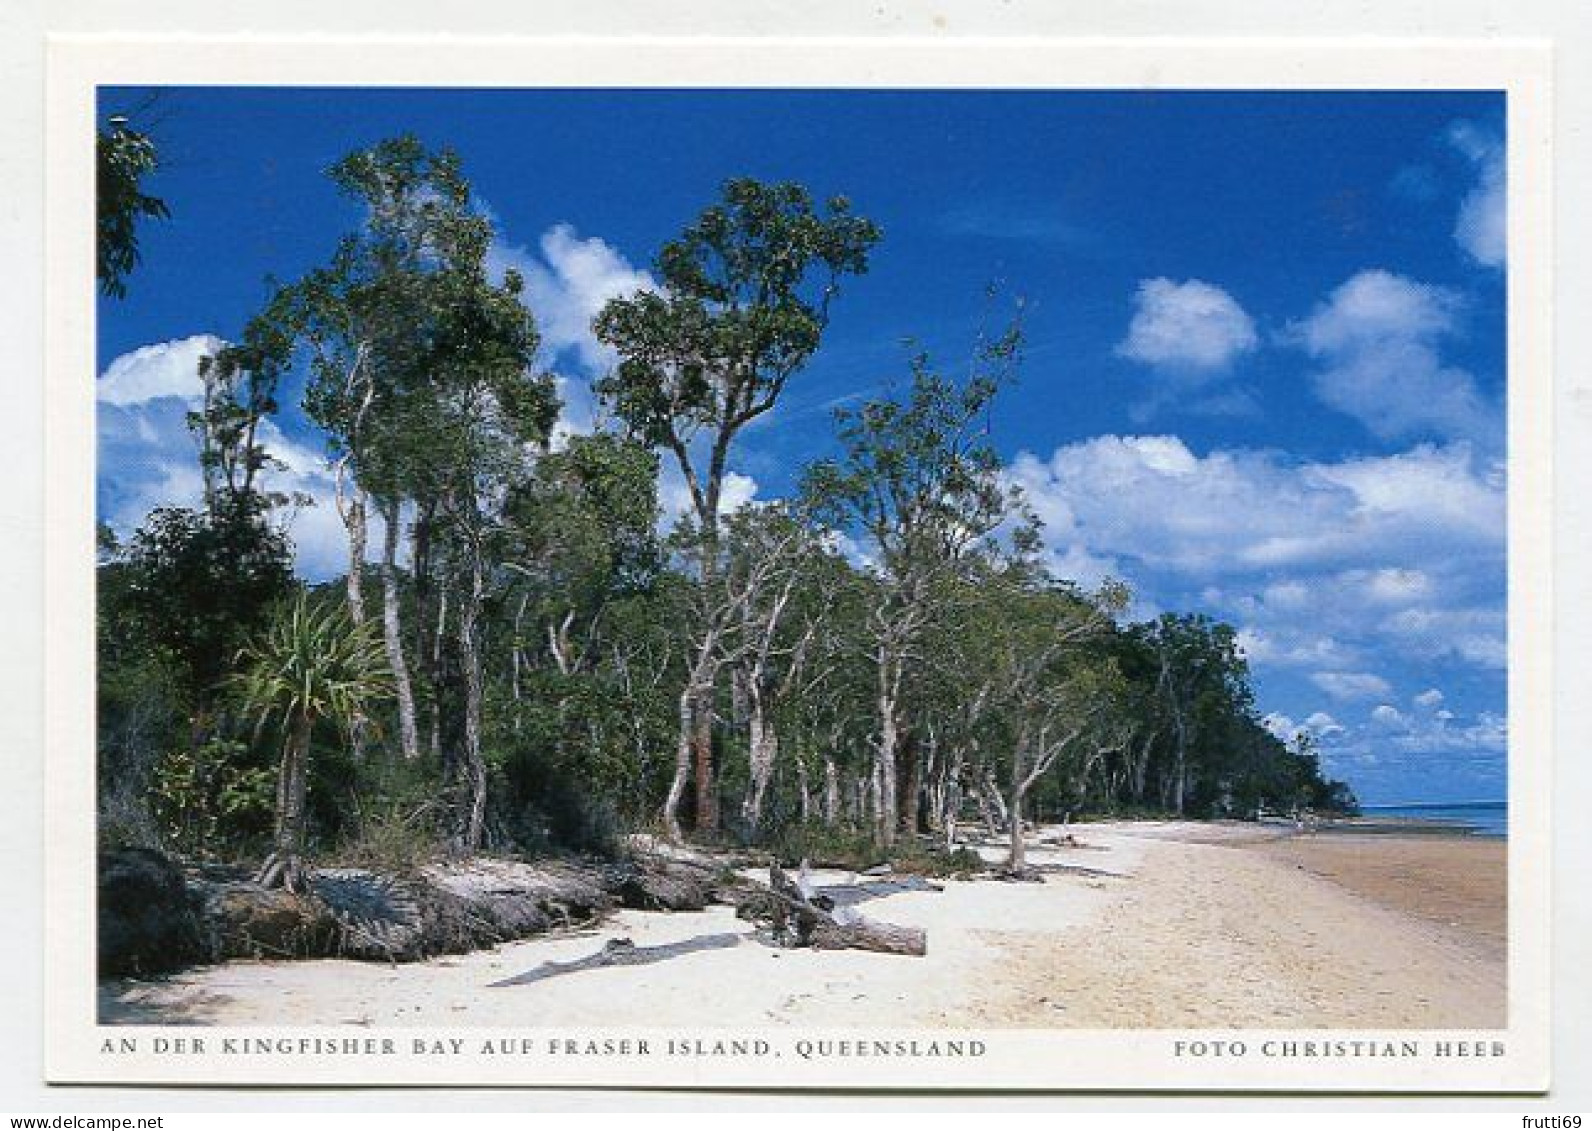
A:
x: 1376, y: 342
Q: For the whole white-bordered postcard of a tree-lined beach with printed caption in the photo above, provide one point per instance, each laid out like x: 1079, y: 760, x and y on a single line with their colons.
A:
x: 1013, y: 565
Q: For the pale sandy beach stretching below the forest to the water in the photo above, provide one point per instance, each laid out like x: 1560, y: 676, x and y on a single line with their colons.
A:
x: 1171, y: 926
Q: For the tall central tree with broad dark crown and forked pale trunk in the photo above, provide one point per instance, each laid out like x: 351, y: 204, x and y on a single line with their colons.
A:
x: 743, y: 303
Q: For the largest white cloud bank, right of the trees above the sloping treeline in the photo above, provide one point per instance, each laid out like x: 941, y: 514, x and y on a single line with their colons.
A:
x: 1324, y: 565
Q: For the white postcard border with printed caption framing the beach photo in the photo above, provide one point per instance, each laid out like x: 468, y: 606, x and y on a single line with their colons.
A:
x: 1031, y: 1060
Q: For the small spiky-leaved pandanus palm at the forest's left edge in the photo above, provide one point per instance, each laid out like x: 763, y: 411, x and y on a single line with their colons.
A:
x: 311, y: 663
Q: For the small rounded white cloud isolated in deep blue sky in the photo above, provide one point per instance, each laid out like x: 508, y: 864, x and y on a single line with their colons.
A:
x: 1195, y: 329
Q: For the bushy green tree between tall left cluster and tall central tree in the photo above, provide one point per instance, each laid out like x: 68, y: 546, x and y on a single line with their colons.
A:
x: 588, y: 649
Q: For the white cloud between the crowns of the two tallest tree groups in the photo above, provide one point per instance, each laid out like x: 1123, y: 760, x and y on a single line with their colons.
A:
x: 569, y: 281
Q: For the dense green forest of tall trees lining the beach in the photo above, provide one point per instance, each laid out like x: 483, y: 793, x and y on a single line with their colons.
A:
x: 526, y: 656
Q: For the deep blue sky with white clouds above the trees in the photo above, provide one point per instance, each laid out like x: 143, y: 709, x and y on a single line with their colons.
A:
x: 1266, y: 348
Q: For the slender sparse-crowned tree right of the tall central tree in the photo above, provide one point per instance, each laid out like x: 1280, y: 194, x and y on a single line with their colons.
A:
x: 923, y: 483
